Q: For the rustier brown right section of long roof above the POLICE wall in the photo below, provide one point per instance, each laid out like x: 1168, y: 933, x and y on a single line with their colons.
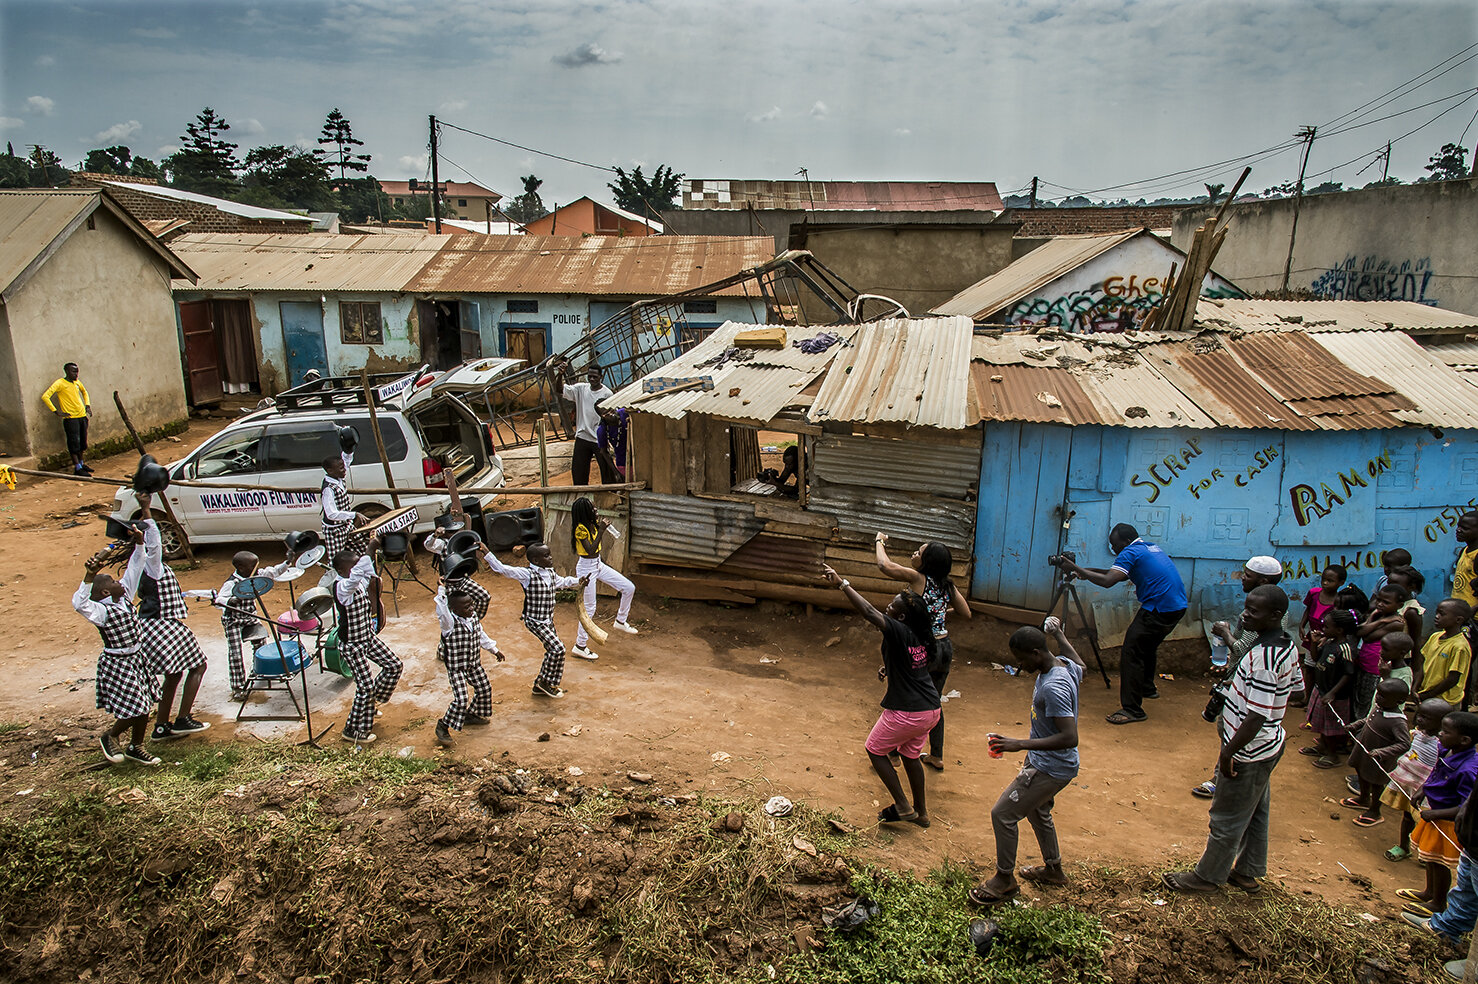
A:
x: 611, y: 267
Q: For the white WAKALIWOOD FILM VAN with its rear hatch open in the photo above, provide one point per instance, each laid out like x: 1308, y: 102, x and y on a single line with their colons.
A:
x: 425, y: 425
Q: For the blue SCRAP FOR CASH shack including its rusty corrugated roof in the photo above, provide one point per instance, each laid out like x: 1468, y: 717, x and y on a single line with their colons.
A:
x: 1313, y: 432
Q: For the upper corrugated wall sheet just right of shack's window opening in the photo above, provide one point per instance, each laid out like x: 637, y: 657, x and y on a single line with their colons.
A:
x: 880, y: 463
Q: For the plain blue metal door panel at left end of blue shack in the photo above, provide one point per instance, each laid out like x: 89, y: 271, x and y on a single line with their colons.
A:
x: 1024, y: 487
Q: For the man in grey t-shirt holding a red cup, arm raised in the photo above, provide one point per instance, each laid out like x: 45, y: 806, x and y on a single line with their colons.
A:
x: 1052, y: 763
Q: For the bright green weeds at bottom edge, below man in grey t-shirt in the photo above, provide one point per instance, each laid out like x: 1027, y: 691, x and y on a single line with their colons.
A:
x: 922, y: 937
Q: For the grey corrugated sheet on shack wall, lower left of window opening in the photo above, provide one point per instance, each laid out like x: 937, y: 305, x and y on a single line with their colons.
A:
x: 689, y: 531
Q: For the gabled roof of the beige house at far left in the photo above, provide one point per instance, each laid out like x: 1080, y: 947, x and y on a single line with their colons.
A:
x: 36, y: 222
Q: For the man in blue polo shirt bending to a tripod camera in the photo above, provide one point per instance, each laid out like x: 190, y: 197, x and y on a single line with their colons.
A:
x: 1162, y: 604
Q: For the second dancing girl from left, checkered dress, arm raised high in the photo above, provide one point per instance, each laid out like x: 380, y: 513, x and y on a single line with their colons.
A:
x: 169, y: 648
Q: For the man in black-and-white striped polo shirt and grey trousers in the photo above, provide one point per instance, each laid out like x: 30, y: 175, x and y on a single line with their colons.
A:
x: 1251, y: 731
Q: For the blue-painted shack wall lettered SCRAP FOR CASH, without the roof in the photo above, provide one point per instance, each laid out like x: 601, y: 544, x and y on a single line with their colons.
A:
x: 1213, y: 499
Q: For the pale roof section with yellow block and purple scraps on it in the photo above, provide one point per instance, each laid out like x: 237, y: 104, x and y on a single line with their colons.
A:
x: 766, y: 385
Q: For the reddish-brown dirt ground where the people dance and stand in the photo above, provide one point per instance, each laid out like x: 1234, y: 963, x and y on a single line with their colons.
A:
x: 744, y: 703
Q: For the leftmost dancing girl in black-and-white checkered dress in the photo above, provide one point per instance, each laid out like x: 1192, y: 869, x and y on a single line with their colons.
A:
x: 126, y: 689
